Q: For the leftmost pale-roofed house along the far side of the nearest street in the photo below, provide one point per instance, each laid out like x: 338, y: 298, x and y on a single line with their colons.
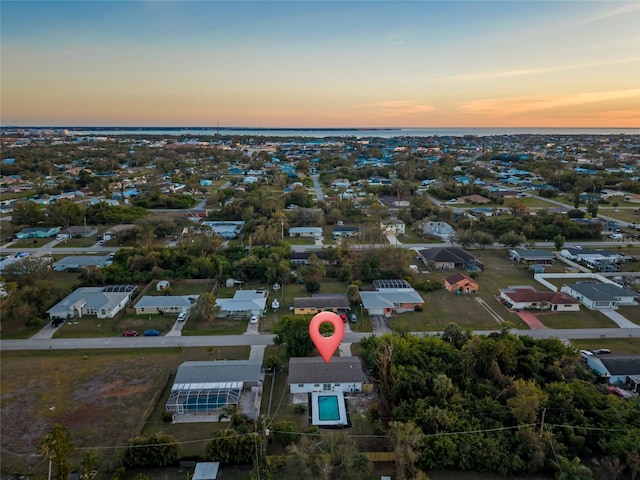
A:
x: 103, y: 302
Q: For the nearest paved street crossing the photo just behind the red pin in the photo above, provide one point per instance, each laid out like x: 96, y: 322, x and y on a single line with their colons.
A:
x: 233, y: 340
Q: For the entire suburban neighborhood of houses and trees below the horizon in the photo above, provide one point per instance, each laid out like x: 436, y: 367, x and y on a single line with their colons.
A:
x: 157, y: 290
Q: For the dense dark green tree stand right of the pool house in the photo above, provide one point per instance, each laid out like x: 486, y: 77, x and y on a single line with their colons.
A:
x: 521, y: 401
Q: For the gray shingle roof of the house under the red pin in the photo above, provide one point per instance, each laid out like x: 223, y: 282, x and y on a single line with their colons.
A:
x: 315, y: 370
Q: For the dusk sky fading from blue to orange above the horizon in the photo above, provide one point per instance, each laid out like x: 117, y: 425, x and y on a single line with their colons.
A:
x: 321, y: 63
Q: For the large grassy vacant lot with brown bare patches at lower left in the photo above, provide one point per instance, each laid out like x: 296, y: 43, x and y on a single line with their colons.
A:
x: 102, y: 397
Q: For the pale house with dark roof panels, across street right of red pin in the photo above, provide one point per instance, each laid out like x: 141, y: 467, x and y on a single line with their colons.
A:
x: 390, y: 297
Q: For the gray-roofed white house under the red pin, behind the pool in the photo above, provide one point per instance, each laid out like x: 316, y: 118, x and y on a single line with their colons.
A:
x: 313, y: 374
